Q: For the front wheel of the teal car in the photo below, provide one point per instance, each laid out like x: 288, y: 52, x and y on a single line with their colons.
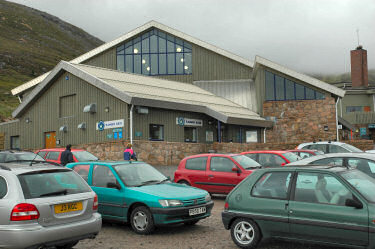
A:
x: 141, y: 220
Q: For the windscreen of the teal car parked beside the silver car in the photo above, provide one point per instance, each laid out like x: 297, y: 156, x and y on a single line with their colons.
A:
x: 139, y: 174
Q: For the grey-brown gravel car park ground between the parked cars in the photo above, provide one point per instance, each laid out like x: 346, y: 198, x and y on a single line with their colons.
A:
x: 207, y: 233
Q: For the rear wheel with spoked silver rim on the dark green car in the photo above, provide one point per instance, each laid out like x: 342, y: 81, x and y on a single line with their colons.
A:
x: 245, y: 233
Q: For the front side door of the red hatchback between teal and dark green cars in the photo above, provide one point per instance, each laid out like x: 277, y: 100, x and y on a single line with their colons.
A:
x: 220, y: 176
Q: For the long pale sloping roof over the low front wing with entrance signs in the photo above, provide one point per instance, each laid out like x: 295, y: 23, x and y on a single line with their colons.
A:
x: 153, y: 92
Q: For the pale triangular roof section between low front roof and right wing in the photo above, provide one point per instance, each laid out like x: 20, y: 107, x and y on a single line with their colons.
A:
x: 241, y: 92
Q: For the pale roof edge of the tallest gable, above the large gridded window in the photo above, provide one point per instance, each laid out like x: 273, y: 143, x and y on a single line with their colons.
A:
x: 135, y: 32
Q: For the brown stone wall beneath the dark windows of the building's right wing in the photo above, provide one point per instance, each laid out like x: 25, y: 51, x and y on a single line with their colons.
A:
x: 301, y: 120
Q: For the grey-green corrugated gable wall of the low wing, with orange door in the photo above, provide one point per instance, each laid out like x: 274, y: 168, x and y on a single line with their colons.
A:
x: 44, y: 115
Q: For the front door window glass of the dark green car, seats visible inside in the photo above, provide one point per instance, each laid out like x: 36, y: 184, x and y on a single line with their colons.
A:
x: 320, y: 188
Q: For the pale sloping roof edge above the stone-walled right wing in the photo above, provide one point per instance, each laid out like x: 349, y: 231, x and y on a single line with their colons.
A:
x: 260, y: 61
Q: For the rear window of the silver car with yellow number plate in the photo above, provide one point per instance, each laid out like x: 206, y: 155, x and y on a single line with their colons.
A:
x: 41, y: 184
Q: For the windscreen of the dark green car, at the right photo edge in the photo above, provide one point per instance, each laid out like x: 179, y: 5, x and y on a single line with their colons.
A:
x: 363, y: 183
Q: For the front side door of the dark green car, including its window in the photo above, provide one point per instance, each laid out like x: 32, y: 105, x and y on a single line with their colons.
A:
x: 317, y: 210
